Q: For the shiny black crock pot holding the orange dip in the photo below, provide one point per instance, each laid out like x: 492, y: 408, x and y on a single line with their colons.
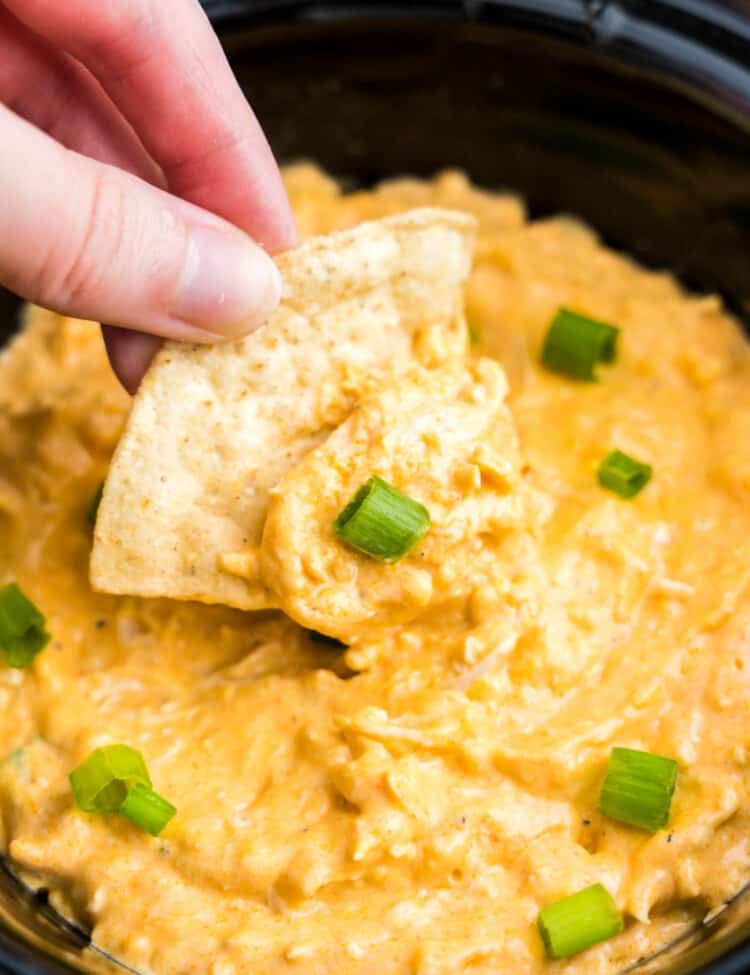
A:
x: 633, y: 114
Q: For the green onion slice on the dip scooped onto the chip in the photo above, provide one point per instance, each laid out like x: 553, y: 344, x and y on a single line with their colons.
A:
x: 382, y: 522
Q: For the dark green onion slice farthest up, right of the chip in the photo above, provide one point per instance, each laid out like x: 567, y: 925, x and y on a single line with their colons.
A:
x: 575, y: 344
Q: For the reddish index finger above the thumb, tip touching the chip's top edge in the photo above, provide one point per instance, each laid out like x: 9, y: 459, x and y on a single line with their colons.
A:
x: 164, y: 68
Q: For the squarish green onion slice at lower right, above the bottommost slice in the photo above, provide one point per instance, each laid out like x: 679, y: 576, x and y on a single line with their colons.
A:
x: 638, y: 788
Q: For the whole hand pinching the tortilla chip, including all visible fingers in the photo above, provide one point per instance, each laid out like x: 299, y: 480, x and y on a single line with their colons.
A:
x: 133, y: 175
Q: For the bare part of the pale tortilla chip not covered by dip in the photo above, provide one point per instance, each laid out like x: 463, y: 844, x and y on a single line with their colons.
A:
x: 214, y: 428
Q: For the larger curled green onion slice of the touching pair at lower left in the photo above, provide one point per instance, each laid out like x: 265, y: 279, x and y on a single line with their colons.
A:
x: 102, y: 782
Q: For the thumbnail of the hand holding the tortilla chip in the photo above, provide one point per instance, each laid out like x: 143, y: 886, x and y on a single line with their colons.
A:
x: 229, y: 285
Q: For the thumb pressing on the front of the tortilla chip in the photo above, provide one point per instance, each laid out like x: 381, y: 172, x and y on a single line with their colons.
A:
x: 92, y: 241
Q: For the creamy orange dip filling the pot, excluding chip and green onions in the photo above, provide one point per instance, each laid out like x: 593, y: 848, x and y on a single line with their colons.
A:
x: 409, y: 804
